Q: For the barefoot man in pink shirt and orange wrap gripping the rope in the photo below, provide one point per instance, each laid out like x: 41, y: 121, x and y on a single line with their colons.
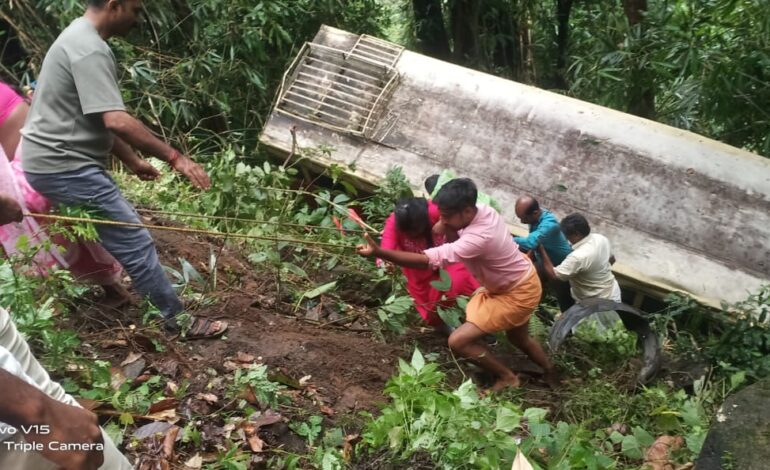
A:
x: 478, y: 237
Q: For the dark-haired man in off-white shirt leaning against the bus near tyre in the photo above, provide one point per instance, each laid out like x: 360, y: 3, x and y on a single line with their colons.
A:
x: 588, y: 267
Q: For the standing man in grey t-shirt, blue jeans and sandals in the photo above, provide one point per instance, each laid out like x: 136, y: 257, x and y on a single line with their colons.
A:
x: 76, y: 120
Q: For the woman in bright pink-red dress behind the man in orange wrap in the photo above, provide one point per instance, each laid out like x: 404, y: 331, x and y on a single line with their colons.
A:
x: 409, y: 228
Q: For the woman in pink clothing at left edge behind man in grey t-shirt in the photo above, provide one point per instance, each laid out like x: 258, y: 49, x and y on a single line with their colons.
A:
x: 88, y: 261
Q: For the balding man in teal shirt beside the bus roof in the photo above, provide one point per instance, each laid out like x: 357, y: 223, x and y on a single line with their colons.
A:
x: 544, y: 230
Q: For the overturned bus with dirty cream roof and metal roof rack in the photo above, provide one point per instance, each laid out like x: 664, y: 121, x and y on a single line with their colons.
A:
x: 683, y: 212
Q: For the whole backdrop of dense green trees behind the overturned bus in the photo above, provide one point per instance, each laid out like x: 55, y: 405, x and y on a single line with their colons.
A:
x: 702, y: 65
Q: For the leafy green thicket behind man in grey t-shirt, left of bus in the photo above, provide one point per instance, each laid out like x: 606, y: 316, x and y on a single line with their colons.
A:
x: 203, y: 67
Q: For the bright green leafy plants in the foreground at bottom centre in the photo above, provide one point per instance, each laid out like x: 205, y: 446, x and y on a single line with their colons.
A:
x: 459, y: 429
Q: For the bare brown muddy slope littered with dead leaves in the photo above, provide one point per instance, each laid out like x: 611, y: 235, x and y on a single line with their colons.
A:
x: 329, y: 368
